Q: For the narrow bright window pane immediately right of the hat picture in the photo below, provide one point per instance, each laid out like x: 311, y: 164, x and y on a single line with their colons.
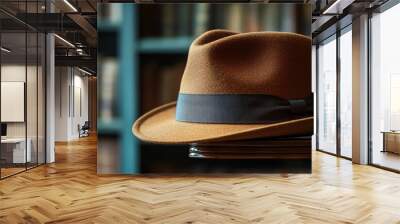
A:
x: 327, y: 96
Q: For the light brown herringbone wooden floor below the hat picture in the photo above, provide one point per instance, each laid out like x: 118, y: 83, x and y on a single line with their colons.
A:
x: 69, y: 191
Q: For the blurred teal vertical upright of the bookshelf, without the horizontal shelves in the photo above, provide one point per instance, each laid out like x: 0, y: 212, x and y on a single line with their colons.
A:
x: 128, y: 87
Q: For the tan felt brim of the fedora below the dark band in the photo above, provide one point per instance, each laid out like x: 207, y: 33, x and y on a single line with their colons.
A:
x: 159, y: 126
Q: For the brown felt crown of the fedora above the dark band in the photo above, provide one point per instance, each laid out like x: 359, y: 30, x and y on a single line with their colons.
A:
x: 270, y: 63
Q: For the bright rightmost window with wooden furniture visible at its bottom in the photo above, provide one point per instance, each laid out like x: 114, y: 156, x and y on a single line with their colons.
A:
x: 385, y: 89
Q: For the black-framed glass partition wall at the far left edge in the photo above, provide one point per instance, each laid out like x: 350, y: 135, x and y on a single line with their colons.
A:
x: 22, y: 77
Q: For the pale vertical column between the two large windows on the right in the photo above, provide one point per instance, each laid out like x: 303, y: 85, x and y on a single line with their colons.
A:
x: 360, y: 90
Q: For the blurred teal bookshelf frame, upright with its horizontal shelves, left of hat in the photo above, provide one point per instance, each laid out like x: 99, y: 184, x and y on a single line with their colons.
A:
x: 130, y: 47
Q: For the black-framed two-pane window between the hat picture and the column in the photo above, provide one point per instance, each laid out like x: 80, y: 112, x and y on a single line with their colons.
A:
x: 334, y: 94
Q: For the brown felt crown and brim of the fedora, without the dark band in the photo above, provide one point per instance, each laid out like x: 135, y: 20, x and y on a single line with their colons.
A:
x: 226, y: 63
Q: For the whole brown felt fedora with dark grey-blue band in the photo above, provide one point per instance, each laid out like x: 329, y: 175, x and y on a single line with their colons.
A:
x: 237, y: 86
